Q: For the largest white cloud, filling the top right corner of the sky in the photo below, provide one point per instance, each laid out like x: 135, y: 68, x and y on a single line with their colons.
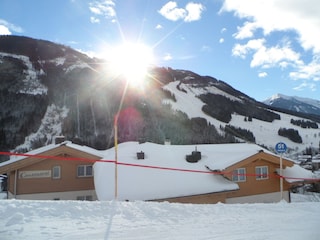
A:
x: 279, y: 15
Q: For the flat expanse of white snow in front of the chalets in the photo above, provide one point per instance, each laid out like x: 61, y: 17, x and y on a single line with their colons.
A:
x: 151, y: 220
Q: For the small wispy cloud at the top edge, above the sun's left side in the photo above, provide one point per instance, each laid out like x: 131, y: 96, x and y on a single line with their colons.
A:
x: 104, y: 8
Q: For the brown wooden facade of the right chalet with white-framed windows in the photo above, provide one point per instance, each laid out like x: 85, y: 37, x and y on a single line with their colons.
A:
x: 252, y: 188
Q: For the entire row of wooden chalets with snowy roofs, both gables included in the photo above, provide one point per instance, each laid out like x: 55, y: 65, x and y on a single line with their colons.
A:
x: 208, y: 173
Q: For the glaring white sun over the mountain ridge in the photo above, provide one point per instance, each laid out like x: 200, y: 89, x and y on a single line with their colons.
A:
x: 131, y: 60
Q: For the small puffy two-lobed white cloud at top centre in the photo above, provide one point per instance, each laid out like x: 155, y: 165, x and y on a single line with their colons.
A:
x: 192, y: 11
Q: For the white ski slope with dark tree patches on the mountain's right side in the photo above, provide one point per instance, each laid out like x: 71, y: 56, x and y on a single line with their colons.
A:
x: 266, y: 133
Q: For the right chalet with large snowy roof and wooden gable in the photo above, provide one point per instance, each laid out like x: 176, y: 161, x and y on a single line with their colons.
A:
x: 228, y: 173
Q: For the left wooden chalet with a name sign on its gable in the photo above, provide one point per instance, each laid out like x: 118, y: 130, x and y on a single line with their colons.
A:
x: 57, y: 171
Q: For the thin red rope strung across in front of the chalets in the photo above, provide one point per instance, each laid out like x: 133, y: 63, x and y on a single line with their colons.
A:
x: 215, y: 172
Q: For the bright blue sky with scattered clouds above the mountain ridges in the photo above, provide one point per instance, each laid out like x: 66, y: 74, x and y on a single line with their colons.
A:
x: 260, y: 47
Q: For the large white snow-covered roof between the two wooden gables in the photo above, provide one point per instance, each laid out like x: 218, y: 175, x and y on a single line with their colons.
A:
x: 143, y: 183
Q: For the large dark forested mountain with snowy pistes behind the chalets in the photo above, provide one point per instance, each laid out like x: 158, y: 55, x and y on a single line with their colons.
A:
x: 49, y: 89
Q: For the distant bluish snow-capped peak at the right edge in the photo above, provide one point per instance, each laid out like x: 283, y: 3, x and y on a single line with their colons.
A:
x: 296, y: 104
